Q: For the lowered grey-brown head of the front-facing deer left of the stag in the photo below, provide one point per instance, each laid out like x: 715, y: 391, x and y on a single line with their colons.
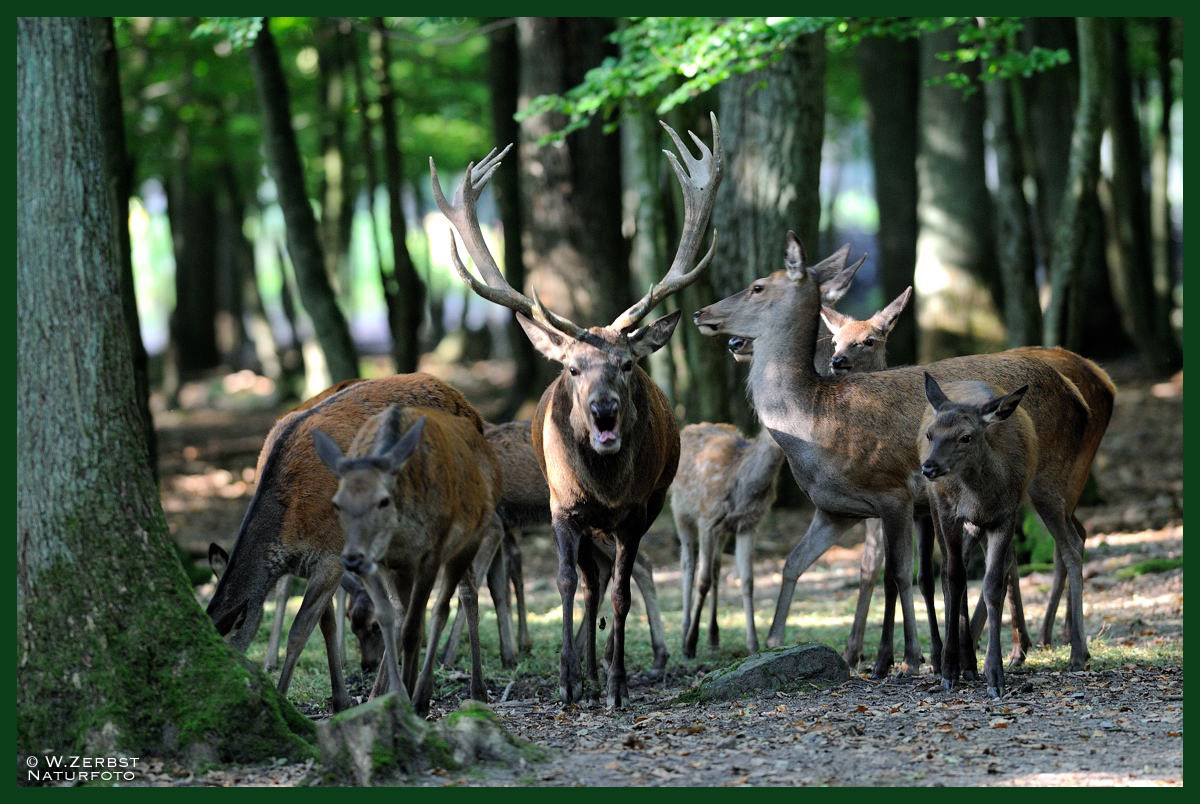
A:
x: 365, y: 499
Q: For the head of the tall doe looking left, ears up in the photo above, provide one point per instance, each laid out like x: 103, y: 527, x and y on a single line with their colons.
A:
x: 773, y: 302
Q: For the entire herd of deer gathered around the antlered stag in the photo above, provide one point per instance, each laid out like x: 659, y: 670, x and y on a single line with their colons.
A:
x: 383, y: 485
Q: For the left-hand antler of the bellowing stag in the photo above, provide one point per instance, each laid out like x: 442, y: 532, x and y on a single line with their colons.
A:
x: 465, y: 220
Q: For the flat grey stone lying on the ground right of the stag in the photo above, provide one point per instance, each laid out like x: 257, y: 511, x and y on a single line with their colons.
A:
x: 779, y: 669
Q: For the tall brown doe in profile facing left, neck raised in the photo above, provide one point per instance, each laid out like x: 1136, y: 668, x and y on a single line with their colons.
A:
x: 851, y: 441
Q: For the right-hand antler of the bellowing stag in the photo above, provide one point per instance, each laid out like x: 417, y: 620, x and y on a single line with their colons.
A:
x: 699, y: 183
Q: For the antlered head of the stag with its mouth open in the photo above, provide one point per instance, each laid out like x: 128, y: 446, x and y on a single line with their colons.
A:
x: 599, y: 363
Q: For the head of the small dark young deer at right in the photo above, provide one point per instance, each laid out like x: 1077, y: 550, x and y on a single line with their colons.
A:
x: 956, y: 434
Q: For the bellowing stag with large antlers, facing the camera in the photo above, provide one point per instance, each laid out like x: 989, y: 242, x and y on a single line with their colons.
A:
x: 604, y: 434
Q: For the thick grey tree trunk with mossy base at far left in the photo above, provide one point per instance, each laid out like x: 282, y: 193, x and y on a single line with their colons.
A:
x: 113, y: 653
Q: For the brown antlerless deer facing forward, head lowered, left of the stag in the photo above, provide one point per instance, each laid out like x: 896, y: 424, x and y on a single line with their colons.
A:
x: 417, y: 491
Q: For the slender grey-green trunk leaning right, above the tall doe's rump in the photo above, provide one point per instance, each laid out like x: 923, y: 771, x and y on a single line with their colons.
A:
x: 1063, y: 323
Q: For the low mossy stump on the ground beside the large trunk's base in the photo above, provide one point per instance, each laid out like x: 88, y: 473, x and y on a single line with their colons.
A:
x: 383, y: 741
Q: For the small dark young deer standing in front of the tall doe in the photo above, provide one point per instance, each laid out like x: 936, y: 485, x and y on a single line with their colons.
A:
x: 979, y: 453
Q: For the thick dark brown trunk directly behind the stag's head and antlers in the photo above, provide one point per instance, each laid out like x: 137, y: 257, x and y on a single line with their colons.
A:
x: 571, y: 193
